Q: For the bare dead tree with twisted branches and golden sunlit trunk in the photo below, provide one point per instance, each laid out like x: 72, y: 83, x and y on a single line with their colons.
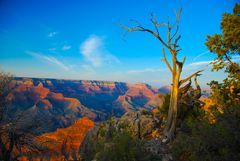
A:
x: 171, y: 44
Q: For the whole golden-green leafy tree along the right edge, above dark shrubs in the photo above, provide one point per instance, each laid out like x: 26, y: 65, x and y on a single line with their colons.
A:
x: 227, y: 47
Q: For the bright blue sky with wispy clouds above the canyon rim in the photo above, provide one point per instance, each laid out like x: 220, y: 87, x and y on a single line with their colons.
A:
x: 83, y: 40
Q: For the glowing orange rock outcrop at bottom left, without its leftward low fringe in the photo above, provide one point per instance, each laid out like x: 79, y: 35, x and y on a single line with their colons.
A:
x: 65, y: 142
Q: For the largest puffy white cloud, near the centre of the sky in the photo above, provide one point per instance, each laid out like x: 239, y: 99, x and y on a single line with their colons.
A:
x: 94, y: 52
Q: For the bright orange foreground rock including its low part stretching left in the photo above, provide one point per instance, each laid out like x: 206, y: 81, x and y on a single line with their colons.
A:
x: 63, y: 143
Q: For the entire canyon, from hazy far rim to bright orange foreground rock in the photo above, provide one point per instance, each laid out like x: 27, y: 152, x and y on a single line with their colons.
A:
x: 69, y: 108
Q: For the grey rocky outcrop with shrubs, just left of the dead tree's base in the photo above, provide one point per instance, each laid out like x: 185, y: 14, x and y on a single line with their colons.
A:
x: 142, y: 126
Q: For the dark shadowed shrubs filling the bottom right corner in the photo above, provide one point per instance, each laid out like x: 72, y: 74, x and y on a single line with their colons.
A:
x: 210, y: 142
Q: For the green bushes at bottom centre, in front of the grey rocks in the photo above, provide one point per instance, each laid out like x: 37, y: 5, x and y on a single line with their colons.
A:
x: 108, y: 143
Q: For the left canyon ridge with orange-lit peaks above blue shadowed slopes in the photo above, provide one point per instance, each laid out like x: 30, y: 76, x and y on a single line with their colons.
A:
x: 40, y: 102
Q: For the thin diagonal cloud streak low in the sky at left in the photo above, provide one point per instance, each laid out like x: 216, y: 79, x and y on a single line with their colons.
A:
x: 50, y: 59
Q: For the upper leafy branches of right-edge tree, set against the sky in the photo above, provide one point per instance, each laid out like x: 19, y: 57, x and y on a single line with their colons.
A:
x: 227, y: 44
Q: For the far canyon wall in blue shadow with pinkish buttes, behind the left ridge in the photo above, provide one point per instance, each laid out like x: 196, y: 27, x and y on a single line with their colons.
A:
x: 103, y: 96
